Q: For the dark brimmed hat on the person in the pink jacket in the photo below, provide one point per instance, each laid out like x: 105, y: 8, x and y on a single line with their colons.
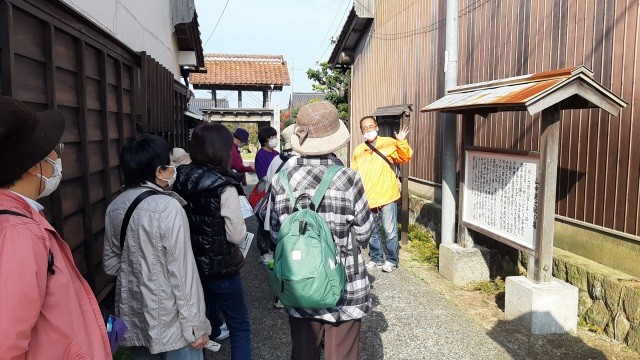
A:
x: 26, y: 137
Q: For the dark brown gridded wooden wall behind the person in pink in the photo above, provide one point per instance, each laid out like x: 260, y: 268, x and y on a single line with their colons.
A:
x: 89, y: 78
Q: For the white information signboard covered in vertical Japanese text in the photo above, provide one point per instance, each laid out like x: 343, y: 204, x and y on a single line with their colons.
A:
x: 501, y: 197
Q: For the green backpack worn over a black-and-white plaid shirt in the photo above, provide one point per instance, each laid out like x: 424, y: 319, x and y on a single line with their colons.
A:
x: 307, y: 272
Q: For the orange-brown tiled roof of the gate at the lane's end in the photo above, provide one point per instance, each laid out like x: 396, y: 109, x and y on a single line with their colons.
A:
x: 259, y: 70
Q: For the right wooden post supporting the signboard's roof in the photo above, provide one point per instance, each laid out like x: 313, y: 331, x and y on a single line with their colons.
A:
x: 540, y: 269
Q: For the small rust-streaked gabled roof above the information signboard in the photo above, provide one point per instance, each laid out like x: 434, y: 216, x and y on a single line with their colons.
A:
x: 571, y: 88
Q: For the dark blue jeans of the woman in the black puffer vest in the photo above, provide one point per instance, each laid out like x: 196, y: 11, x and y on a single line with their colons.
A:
x: 226, y: 295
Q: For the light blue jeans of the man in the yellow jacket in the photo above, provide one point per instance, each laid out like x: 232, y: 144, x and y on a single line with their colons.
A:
x: 387, y: 217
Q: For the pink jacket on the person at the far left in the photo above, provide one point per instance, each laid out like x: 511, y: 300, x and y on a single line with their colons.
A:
x: 43, y: 316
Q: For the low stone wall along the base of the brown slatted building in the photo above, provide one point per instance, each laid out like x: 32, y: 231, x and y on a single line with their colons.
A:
x: 609, y: 299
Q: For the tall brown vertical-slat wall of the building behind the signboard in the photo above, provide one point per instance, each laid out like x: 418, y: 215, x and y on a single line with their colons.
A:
x: 401, y: 61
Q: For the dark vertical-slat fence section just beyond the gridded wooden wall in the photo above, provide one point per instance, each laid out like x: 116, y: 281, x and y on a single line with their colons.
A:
x: 166, y: 102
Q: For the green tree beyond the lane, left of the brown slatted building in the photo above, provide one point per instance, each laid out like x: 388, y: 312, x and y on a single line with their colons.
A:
x: 335, y: 84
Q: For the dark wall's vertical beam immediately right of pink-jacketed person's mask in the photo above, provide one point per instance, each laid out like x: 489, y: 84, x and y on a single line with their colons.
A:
x: 84, y: 161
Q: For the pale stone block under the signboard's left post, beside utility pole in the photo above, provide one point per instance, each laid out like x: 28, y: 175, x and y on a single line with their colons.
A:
x: 463, y: 266
